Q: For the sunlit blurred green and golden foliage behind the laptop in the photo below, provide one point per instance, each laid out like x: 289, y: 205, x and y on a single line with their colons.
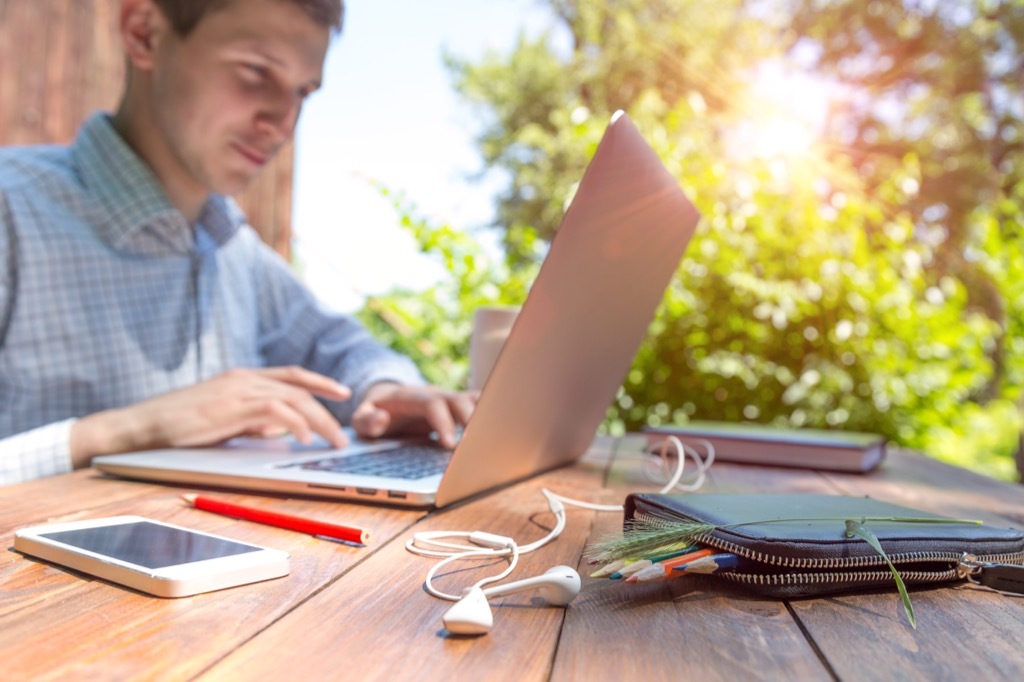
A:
x: 865, y: 272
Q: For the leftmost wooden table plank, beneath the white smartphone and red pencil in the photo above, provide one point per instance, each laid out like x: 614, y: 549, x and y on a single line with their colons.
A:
x: 110, y: 632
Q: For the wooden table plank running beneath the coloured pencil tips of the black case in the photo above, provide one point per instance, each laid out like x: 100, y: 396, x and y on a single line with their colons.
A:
x: 695, y: 627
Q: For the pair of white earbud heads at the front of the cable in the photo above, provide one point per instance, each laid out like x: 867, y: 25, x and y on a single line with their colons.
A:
x: 472, y: 615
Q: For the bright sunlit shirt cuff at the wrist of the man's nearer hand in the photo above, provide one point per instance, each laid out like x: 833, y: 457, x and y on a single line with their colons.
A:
x: 41, y: 452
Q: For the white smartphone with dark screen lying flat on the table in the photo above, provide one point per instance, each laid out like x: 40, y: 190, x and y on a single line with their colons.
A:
x: 151, y: 557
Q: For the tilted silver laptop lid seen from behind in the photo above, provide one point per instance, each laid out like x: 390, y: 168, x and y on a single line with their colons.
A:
x: 574, y: 342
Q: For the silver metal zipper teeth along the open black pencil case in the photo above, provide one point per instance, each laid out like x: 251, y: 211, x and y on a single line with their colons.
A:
x: 959, y: 567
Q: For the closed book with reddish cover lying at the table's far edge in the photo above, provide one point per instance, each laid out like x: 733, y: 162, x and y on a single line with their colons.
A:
x: 808, y: 449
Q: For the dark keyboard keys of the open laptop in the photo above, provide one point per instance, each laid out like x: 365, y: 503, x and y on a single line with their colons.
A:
x: 407, y: 462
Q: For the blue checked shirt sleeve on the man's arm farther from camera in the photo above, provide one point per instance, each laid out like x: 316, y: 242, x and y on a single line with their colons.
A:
x: 296, y: 329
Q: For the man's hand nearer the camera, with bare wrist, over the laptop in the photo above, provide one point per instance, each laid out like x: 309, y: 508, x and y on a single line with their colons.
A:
x: 236, y: 403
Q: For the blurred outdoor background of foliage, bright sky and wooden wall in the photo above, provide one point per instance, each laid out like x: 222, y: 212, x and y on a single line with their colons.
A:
x: 859, y: 165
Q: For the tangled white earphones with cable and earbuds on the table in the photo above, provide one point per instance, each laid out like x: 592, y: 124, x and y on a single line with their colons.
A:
x: 484, y: 545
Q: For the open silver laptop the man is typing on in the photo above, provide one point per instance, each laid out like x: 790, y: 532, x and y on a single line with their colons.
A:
x: 574, y: 342
